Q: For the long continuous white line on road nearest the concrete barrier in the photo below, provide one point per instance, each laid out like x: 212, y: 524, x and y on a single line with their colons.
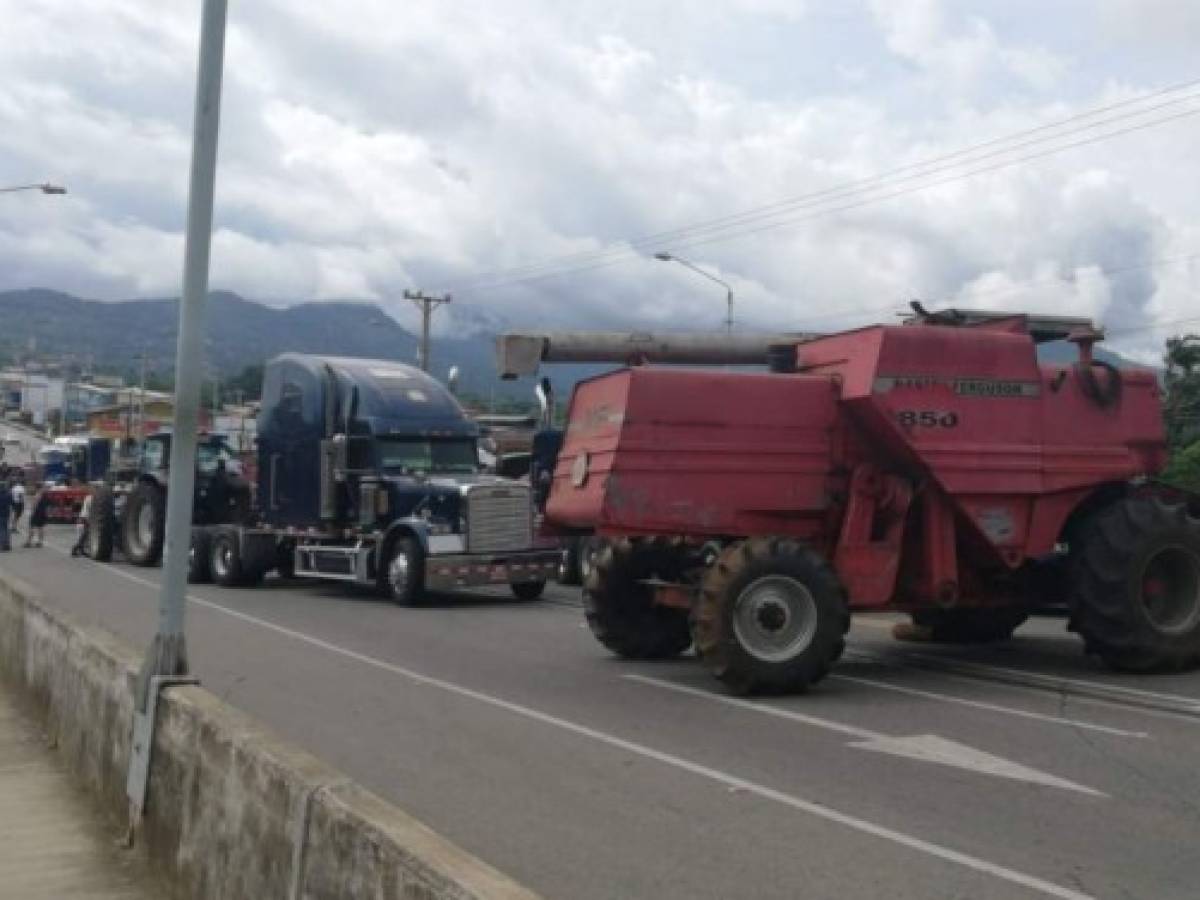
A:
x: 722, y: 778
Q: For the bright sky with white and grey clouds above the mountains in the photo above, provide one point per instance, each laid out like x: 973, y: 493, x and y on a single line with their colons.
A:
x: 519, y: 152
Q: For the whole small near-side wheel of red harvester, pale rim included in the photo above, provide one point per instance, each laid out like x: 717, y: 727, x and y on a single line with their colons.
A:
x: 772, y: 617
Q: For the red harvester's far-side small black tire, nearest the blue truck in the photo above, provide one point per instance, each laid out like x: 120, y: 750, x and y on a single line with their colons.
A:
x: 622, y: 614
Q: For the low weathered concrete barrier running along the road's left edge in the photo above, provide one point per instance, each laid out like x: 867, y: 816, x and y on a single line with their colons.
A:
x: 232, y: 811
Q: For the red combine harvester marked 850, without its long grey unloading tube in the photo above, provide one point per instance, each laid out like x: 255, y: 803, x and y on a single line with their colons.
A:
x: 934, y: 469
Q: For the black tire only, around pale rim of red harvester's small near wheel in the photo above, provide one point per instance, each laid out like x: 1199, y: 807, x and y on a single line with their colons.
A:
x: 740, y: 567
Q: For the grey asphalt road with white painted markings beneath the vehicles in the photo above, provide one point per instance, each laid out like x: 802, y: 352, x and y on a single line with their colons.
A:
x: 508, y: 729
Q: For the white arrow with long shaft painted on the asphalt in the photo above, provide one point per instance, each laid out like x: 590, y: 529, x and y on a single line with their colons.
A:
x: 926, y: 748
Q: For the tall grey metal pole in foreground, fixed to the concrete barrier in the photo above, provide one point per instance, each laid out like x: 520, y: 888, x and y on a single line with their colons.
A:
x: 167, y: 657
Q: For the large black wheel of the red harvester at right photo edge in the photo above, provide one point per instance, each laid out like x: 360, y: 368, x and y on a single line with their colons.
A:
x: 1137, y: 586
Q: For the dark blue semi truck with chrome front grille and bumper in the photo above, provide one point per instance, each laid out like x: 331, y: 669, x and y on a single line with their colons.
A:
x: 369, y: 473
